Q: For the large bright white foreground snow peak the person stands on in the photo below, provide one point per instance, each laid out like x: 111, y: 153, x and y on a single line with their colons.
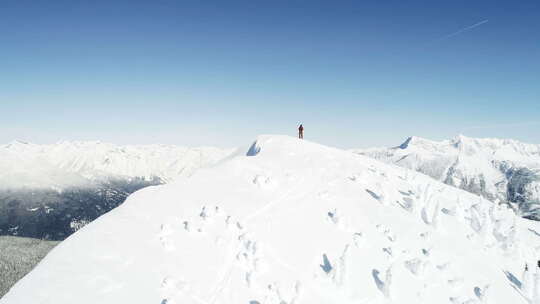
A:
x: 292, y: 222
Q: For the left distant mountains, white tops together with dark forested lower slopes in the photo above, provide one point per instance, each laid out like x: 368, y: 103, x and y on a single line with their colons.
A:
x: 50, y: 191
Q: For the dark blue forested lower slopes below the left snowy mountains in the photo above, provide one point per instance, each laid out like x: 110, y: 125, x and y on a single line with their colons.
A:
x: 54, y: 215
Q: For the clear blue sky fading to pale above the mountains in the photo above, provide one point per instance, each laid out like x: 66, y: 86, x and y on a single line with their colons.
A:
x: 356, y: 73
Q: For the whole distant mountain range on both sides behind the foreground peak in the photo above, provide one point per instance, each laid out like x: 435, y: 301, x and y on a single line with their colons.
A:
x: 51, y: 191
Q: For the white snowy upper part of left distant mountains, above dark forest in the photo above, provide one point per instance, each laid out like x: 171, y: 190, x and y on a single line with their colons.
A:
x: 80, y: 163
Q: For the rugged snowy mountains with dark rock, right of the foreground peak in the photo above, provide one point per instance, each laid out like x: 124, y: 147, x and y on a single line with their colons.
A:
x: 501, y: 170
